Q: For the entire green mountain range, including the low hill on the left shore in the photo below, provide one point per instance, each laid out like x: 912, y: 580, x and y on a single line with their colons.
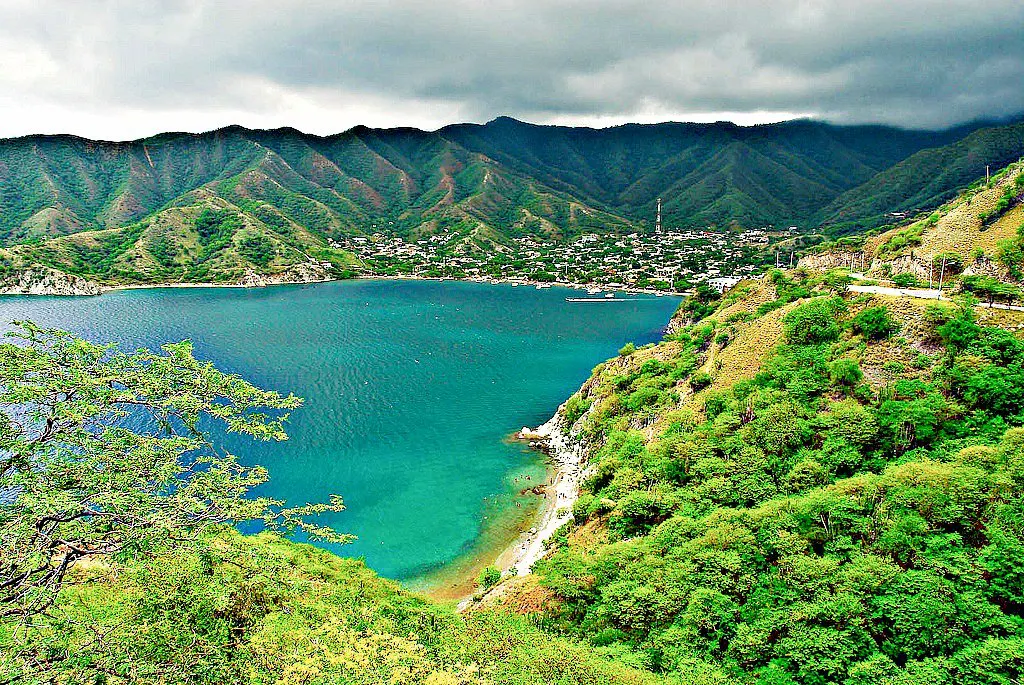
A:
x: 133, y: 211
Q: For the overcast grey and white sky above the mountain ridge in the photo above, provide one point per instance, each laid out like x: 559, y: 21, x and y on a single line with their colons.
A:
x: 124, y: 69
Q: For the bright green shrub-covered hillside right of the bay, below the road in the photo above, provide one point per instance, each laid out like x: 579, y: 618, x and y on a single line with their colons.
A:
x: 801, y: 488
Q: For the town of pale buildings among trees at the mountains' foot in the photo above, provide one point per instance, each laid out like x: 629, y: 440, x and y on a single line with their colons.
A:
x: 668, y: 261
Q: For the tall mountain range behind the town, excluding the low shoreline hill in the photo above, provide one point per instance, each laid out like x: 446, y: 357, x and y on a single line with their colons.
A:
x: 486, y: 183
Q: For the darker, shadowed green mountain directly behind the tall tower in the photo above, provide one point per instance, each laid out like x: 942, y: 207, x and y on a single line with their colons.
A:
x: 798, y: 165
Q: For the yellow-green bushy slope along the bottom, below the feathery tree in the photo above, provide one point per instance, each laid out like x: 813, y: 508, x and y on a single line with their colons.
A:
x: 261, y: 611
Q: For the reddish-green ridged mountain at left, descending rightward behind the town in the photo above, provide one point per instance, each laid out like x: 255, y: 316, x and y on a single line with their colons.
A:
x: 364, y: 181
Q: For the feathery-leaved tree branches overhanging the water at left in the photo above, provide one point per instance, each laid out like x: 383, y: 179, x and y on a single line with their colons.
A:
x: 103, y: 453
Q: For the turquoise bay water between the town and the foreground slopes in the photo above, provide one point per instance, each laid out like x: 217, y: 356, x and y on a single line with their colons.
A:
x: 411, y: 390
